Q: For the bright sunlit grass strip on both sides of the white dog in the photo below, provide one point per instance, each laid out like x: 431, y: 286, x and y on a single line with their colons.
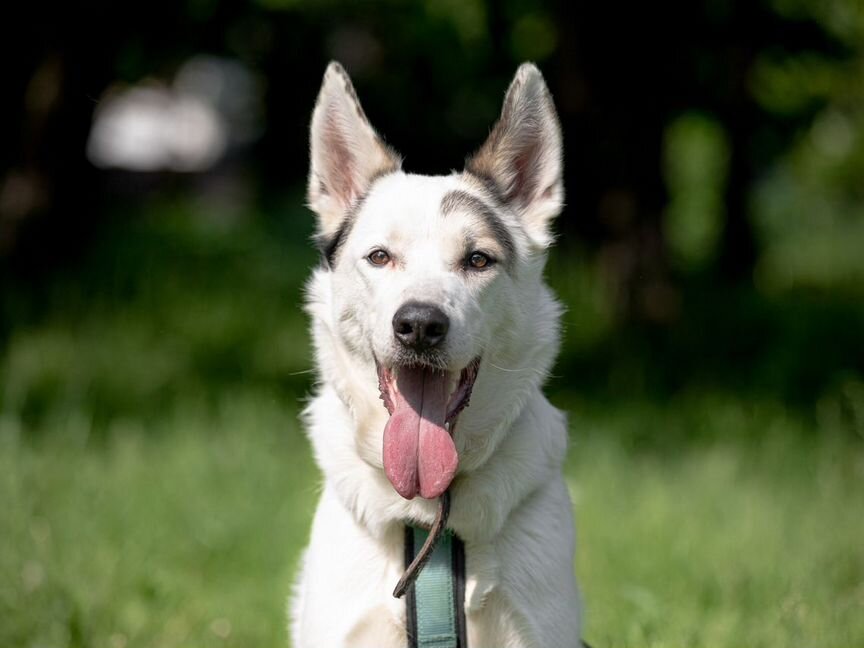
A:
x: 186, y: 533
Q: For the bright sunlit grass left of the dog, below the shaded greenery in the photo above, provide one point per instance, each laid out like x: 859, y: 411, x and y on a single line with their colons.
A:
x: 184, y: 532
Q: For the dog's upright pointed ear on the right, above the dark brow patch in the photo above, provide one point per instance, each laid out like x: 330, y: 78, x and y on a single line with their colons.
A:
x: 522, y: 155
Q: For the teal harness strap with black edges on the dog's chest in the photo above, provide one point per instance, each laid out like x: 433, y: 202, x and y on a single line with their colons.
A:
x: 436, y: 601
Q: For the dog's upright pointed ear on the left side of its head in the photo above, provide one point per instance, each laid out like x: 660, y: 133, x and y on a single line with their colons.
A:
x: 346, y: 152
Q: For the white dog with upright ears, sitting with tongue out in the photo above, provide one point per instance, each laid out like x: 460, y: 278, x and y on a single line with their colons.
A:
x: 431, y: 293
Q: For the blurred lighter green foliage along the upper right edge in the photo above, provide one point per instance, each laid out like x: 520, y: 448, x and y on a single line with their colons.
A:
x: 809, y: 208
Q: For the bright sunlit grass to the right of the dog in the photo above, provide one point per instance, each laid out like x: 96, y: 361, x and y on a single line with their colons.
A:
x: 723, y: 544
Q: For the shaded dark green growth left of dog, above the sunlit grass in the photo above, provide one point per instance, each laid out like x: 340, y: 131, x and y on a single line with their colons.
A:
x: 164, y: 308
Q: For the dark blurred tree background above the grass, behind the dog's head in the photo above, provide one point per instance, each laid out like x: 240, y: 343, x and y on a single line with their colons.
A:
x: 713, y: 157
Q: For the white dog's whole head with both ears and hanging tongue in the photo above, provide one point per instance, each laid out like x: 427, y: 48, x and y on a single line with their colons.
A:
x: 432, y: 277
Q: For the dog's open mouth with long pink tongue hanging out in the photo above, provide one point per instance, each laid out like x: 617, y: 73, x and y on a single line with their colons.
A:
x: 419, y: 453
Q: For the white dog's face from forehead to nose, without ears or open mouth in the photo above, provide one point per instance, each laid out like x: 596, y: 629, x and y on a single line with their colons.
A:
x: 420, y: 270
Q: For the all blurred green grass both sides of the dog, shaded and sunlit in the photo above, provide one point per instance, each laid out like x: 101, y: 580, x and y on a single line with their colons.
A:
x: 156, y: 487
